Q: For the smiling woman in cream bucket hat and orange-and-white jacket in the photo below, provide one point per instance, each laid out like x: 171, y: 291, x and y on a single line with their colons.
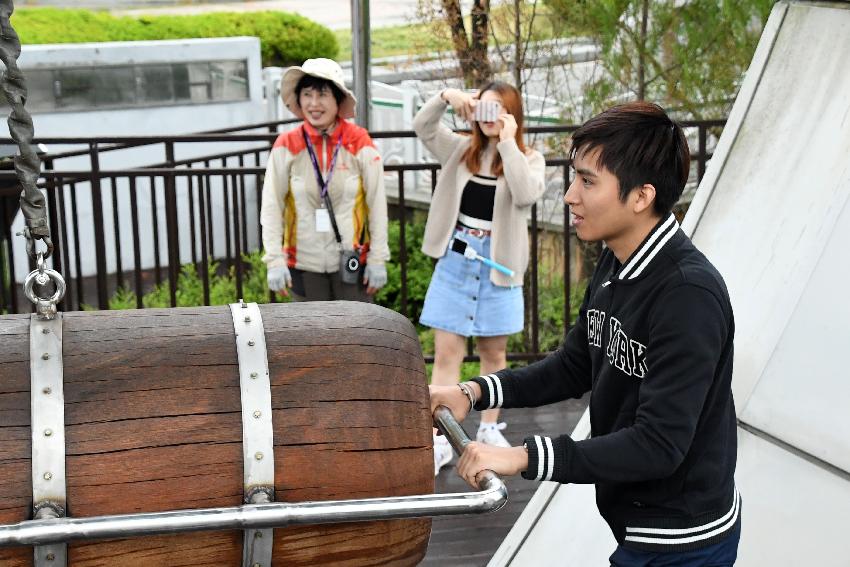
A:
x: 324, y: 208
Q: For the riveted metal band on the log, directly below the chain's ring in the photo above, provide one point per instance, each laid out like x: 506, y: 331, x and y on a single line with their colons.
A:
x: 47, y: 404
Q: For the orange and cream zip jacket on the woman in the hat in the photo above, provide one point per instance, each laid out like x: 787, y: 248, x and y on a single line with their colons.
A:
x: 291, y: 197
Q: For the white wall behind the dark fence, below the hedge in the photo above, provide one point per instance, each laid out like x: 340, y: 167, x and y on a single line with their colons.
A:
x: 142, y: 121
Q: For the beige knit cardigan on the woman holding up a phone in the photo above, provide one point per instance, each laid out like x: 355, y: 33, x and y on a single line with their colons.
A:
x: 520, y: 185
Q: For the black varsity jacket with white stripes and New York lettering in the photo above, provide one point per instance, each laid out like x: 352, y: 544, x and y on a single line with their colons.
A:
x: 653, y: 345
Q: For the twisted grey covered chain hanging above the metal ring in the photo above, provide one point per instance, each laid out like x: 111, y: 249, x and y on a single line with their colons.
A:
x: 27, y: 162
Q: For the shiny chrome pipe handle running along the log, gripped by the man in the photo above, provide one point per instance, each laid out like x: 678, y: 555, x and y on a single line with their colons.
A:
x: 492, y: 496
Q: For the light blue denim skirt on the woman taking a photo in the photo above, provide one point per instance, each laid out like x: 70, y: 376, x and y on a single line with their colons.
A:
x: 461, y: 298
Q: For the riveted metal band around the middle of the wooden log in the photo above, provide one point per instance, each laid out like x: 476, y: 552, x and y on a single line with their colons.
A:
x: 257, y: 435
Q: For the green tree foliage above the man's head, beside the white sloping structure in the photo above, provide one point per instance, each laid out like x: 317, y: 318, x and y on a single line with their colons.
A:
x: 691, y: 56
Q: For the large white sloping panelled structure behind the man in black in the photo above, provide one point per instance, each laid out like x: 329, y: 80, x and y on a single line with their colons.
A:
x: 773, y: 214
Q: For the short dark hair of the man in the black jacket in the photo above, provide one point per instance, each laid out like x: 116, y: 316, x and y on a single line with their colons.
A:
x: 639, y: 144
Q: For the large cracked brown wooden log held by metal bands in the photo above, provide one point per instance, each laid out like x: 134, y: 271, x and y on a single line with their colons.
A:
x: 153, y: 423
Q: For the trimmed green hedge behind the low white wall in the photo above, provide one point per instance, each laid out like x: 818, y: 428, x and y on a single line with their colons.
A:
x: 285, y: 39
